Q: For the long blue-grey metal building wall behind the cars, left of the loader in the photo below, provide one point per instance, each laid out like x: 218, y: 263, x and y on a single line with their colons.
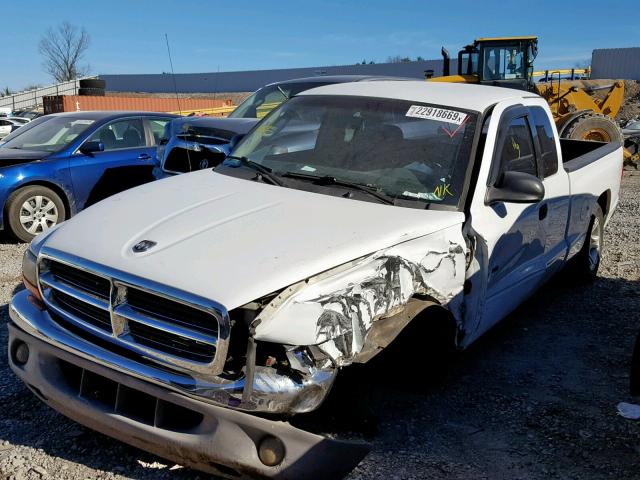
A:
x: 249, y: 81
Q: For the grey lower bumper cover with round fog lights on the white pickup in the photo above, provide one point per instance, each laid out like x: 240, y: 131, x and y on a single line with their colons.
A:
x: 220, y: 441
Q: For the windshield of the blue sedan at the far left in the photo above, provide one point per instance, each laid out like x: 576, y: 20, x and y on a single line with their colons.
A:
x: 52, y: 135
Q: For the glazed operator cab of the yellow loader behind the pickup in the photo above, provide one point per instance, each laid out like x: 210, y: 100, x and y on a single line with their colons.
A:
x: 503, y: 62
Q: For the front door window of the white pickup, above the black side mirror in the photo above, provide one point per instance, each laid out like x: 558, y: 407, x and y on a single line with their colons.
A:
x: 517, y: 153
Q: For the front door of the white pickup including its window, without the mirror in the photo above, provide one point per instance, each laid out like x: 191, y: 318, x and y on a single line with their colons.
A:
x: 511, y: 234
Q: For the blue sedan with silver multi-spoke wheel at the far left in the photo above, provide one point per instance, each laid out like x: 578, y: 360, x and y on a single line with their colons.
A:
x: 55, y: 169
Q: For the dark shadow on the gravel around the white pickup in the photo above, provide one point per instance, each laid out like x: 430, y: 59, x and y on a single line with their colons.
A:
x: 533, y: 398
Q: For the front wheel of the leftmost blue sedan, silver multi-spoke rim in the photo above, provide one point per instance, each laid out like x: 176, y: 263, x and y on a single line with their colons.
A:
x: 33, y: 210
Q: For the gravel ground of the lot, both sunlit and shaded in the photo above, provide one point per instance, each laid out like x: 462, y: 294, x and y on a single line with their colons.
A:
x: 535, y: 398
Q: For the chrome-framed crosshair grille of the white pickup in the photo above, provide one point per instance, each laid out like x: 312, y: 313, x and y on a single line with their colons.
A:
x: 166, y: 325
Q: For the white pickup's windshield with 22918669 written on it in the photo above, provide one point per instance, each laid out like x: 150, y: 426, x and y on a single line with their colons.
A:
x: 406, y: 150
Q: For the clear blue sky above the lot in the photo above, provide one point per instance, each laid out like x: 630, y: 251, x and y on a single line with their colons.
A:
x: 127, y: 36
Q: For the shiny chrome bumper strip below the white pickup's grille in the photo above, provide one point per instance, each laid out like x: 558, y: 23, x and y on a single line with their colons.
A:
x: 270, y: 391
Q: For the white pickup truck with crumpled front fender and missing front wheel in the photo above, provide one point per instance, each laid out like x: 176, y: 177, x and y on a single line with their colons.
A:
x: 192, y: 316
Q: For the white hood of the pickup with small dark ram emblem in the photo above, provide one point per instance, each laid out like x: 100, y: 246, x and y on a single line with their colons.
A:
x: 234, y: 240
